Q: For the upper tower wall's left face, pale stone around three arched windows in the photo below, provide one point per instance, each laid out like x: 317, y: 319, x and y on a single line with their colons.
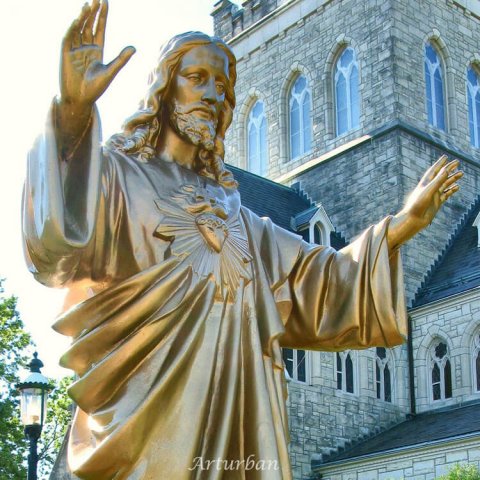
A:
x: 309, y: 46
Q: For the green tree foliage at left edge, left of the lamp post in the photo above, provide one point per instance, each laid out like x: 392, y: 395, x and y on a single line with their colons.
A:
x: 14, y: 343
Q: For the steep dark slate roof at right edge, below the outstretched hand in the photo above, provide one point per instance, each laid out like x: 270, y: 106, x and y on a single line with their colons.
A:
x: 458, y: 269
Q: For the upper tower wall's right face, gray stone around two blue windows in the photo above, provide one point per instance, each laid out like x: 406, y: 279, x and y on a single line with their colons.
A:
x: 455, y: 33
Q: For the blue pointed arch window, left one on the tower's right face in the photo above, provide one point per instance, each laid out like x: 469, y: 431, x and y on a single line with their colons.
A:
x: 434, y: 85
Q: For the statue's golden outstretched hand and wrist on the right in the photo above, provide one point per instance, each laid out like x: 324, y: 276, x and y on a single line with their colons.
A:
x: 436, y: 186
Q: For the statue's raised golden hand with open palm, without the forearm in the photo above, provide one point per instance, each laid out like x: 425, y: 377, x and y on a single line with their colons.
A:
x: 83, y: 76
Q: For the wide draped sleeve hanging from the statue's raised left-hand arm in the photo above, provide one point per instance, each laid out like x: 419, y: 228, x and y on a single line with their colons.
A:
x: 60, y: 205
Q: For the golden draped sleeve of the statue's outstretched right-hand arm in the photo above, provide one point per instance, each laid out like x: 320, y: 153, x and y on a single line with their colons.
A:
x: 352, y: 298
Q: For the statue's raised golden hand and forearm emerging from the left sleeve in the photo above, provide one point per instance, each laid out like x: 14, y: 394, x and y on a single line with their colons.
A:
x: 83, y: 75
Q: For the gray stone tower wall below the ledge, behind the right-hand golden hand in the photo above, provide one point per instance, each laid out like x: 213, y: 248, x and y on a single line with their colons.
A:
x: 372, y: 180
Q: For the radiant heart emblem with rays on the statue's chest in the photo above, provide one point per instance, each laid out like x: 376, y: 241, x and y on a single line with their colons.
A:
x: 203, y: 227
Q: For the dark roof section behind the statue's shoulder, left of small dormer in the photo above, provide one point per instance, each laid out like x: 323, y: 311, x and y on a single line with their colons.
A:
x: 269, y: 199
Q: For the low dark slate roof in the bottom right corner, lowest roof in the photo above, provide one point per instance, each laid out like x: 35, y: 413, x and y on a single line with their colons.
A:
x: 423, y: 428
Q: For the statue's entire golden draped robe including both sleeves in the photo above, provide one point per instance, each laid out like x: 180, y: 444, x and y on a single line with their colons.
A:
x: 179, y: 302
